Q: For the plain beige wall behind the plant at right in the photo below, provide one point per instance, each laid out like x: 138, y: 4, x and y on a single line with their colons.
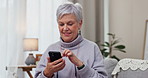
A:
x: 127, y: 21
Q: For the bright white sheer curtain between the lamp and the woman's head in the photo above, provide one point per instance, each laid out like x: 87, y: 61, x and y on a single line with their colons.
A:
x: 41, y: 21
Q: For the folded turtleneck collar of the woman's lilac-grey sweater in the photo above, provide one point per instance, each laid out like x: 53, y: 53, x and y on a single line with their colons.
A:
x: 75, y: 42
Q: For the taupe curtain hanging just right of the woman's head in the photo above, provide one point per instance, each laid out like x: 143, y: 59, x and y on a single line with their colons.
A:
x: 93, y: 22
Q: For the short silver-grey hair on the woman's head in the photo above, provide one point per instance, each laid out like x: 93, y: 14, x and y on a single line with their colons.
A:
x: 70, y: 8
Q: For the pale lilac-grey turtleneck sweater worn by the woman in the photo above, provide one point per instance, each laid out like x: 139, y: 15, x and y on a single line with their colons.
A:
x: 87, y: 51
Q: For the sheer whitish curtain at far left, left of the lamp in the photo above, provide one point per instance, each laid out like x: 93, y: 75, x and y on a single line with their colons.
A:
x: 12, y: 28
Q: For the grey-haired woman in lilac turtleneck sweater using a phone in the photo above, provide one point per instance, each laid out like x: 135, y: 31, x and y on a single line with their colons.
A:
x: 81, y: 58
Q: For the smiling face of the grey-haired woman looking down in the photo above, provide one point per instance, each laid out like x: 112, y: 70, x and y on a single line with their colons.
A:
x: 68, y: 27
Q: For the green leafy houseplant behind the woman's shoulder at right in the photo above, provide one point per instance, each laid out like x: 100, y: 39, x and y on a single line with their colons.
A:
x: 109, y: 47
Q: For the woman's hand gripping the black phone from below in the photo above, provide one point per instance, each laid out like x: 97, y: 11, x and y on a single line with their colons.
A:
x: 53, y: 67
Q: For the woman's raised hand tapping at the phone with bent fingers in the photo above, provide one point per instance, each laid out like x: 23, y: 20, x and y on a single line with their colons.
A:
x: 72, y: 57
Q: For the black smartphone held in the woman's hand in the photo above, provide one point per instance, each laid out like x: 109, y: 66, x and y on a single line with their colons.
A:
x: 54, y: 55
